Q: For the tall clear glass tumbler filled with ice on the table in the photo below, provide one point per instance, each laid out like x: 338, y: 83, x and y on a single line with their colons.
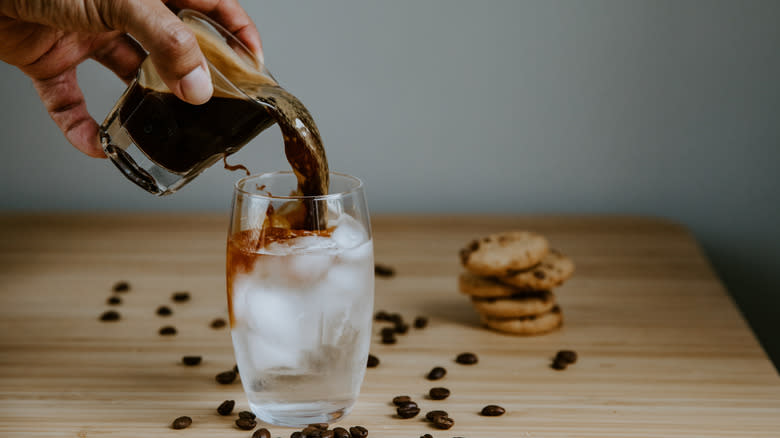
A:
x: 300, y: 300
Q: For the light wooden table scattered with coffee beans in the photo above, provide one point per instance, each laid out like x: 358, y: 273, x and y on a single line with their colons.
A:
x: 663, y: 350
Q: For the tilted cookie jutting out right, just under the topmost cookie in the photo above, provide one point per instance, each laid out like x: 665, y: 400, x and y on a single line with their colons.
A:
x: 554, y: 269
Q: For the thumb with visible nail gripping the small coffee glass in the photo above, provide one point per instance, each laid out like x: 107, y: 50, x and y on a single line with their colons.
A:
x: 172, y: 46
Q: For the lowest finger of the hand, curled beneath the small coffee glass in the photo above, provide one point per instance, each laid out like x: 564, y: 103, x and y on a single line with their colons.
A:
x: 65, y: 103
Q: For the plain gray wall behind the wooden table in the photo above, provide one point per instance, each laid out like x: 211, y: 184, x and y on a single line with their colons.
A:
x: 665, y: 108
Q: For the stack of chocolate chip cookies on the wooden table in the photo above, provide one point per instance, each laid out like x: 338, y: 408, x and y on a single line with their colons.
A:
x: 510, y: 277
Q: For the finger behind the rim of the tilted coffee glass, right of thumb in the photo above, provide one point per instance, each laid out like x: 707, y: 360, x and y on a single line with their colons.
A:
x: 230, y: 15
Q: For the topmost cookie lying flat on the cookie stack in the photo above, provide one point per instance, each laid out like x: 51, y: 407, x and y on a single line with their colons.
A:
x: 496, y: 254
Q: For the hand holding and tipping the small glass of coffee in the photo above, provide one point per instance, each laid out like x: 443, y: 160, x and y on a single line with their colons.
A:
x: 48, y: 39
